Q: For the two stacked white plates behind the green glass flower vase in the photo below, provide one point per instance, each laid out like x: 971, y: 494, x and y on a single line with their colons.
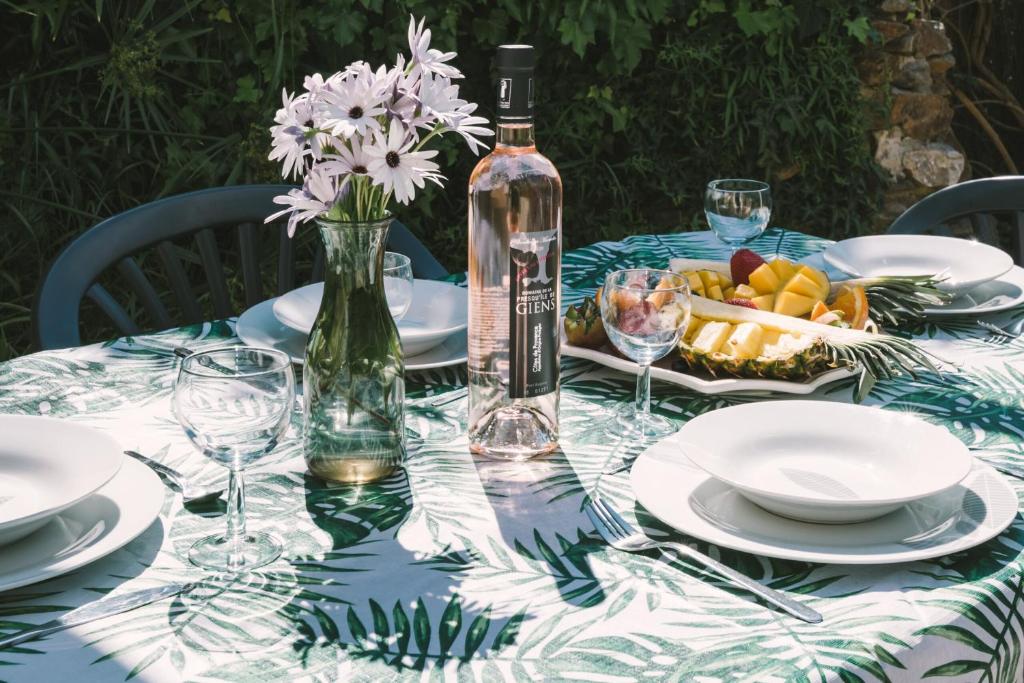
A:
x: 433, y: 332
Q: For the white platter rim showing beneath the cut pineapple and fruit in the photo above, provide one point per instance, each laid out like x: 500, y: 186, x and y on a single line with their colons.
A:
x: 706, y: 386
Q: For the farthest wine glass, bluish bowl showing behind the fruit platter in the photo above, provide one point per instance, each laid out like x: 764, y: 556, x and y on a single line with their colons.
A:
x: 738, y: 210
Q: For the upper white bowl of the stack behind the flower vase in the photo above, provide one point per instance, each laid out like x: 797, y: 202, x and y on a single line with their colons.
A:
x: 438, y: 312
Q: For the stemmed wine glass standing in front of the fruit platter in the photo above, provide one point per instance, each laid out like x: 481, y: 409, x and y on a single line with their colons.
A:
x: 646, y: 313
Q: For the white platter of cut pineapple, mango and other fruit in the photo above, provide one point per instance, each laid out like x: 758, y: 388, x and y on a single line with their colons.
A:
x: 777, y: 326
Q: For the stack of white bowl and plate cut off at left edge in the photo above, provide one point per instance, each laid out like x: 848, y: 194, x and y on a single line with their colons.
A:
x: 68, y: 497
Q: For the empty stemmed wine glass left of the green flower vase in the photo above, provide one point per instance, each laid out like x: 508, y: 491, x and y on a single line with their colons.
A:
x: 235, y: 405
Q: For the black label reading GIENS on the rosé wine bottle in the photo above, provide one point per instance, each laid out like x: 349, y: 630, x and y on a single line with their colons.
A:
x: 533, y: 314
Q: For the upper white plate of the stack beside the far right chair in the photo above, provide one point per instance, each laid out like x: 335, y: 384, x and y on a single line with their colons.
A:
x: 965, y: 264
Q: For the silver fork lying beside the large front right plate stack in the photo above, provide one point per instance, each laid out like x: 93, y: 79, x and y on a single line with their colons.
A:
x: 620, y: 535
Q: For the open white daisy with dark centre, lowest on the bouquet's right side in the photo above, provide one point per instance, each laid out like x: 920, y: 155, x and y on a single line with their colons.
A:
x: 397, y: 168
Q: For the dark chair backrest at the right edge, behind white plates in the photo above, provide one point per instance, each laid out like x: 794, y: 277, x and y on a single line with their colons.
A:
x: 973, y: 200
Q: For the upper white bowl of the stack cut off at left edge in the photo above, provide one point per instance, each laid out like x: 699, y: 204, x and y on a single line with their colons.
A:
x: 49, y: 465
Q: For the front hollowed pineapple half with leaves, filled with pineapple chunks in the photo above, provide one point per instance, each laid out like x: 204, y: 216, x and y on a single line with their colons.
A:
x: 744, y: 343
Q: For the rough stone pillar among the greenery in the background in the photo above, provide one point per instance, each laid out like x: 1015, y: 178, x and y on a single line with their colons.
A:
x: 905, y: 74
